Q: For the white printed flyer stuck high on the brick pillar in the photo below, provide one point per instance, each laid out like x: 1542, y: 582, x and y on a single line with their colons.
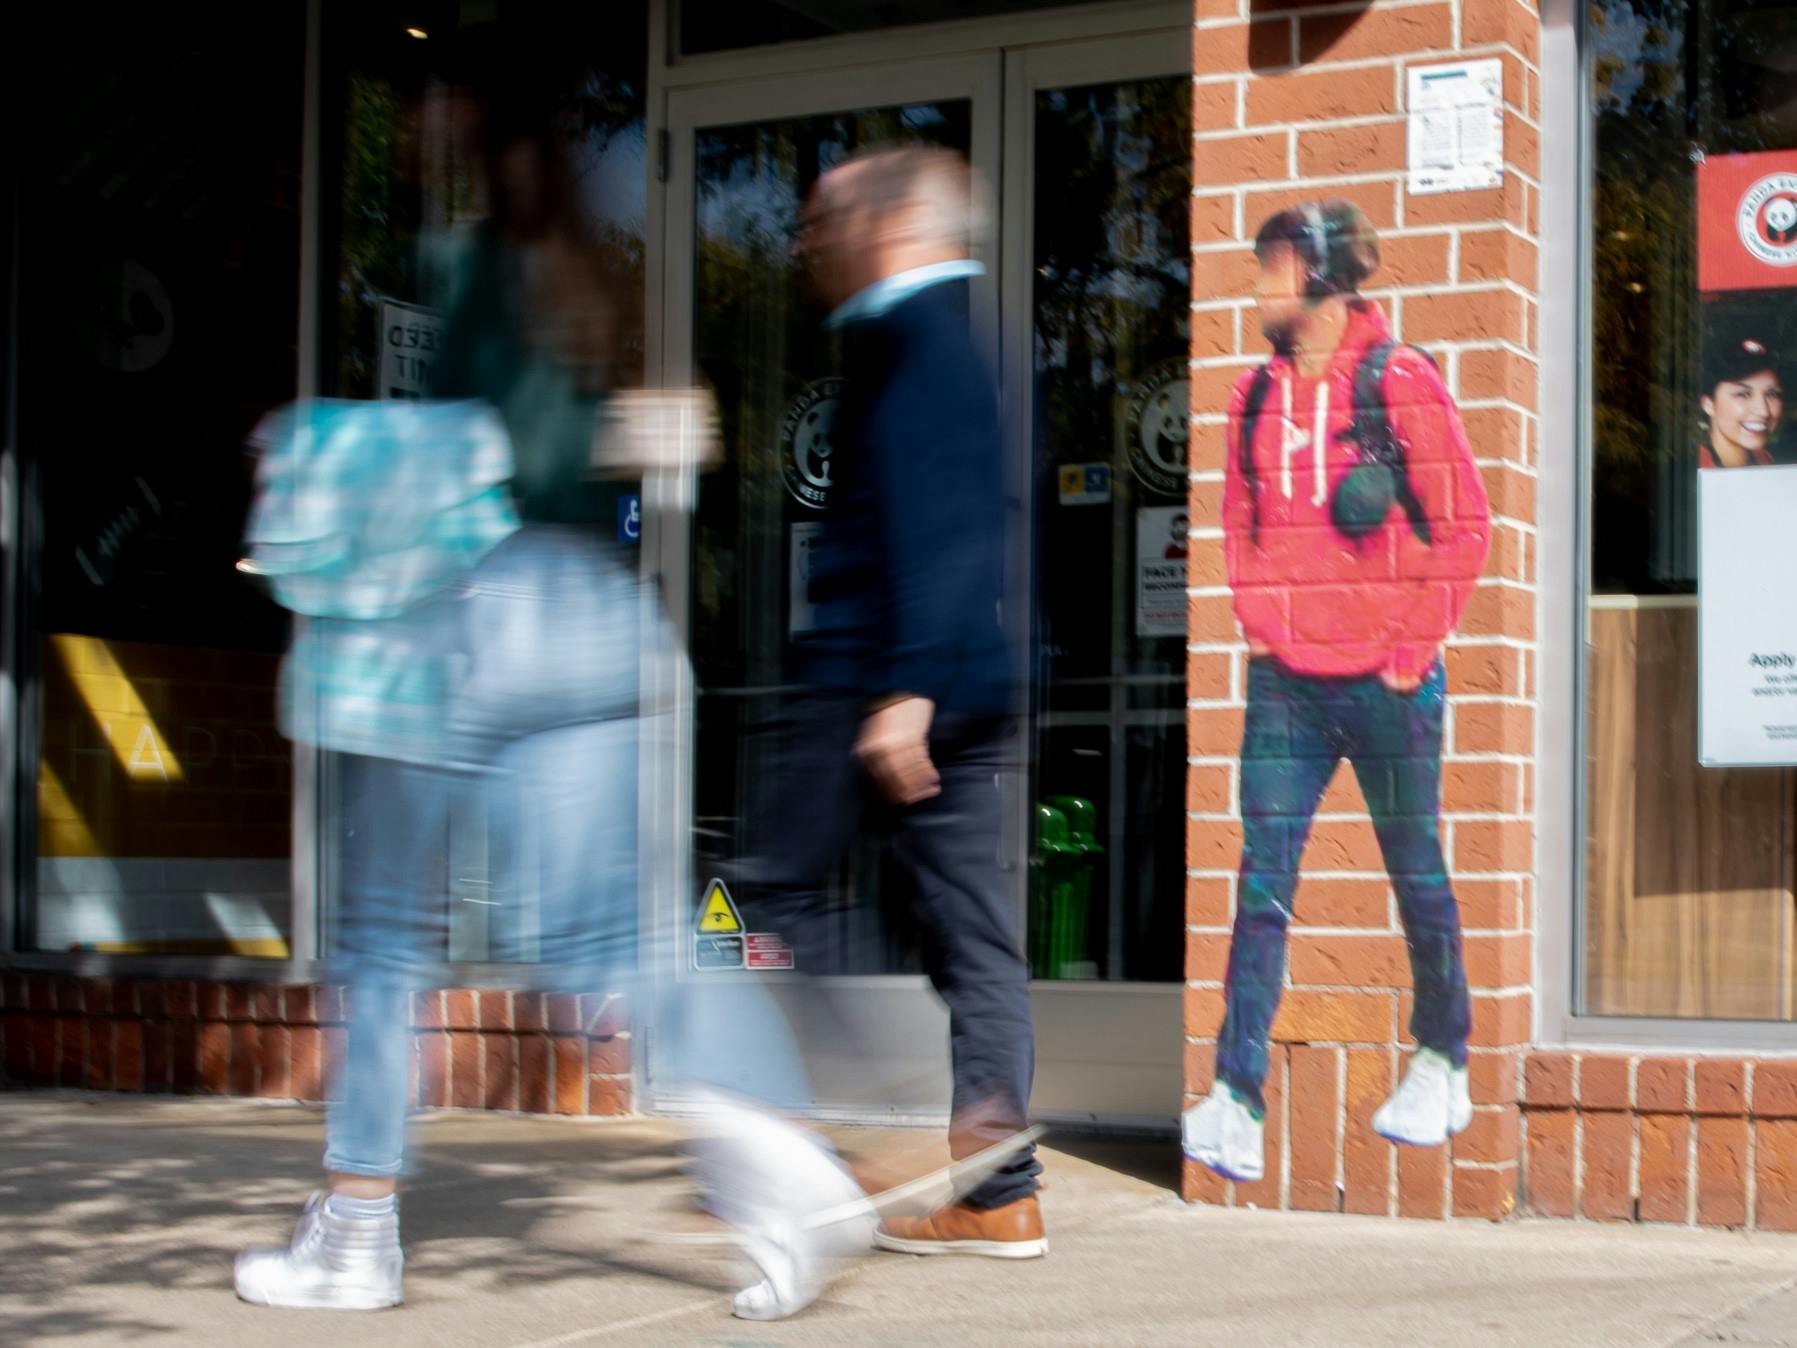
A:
x: 1456, y: 127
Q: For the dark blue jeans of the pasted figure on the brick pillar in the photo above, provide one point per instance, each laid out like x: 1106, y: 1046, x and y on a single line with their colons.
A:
x: 1298, y: 731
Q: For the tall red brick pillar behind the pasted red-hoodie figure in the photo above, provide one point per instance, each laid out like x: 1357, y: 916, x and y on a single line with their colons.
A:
x: 1297, y: 105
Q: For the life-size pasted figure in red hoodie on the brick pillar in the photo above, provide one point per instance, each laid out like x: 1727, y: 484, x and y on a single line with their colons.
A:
x: 1356, y: 526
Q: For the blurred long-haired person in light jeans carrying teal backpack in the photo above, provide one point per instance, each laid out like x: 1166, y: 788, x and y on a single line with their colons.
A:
x: 468, y: 626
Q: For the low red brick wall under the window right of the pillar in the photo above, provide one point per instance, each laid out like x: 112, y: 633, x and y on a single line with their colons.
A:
x: 1656, y: 1139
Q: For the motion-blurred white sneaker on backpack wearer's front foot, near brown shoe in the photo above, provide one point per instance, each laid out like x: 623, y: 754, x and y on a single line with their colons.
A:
x: 772, y: 1182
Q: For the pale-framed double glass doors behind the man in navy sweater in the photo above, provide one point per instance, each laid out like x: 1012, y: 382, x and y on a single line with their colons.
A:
x: 1088, y: 305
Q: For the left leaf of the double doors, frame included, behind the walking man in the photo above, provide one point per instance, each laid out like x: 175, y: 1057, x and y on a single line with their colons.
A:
x: 736, y: 542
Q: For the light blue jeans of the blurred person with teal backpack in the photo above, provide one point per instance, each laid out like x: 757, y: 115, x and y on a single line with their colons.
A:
x: 558, y: 783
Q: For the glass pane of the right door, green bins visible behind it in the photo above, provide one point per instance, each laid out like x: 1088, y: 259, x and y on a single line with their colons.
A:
x: 1111, y: 305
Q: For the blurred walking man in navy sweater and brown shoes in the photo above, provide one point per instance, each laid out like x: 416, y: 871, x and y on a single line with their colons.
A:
x: 910, y: 677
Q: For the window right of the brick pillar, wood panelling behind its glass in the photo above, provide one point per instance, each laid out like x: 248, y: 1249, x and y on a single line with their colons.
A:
x: 1692, y: 873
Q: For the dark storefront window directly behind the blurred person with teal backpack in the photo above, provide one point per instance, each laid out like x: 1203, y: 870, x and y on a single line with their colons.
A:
x: 402, y: 181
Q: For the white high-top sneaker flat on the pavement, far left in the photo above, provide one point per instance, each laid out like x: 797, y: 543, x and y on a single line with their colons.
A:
x: 333, y: 1263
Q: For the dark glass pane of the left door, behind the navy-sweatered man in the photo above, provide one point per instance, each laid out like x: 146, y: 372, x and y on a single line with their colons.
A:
x: 775, y: 369
